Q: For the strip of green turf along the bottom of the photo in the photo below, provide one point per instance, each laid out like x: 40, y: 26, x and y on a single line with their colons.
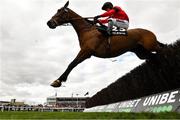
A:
x: 81, y: 115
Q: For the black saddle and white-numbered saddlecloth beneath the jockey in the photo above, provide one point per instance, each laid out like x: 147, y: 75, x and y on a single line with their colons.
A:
x: 115, y: 31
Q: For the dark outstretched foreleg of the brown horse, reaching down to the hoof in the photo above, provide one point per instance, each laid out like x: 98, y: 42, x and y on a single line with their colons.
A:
x: 82, y: 55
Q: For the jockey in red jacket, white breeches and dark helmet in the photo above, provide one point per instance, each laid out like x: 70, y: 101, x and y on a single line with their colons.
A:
x: 116, y: 17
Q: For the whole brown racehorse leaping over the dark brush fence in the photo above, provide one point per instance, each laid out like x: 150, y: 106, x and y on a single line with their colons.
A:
x: 94, y: 43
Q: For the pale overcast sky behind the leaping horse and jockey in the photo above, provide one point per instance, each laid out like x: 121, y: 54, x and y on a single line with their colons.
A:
x: 32, y: 55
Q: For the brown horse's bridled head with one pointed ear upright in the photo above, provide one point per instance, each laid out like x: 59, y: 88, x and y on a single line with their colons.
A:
x: 61, y: 17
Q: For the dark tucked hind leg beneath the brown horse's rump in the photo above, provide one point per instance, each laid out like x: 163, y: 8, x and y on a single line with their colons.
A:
x: 143, y: 53
